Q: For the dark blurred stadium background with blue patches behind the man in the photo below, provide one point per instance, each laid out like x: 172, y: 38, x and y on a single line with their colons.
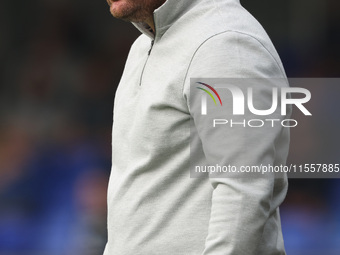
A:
x: 60, y: 64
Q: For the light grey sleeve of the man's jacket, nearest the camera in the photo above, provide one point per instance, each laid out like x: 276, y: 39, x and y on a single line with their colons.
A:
x: 244, y: 210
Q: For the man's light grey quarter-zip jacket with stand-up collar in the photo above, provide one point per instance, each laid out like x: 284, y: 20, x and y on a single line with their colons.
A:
x: 154, y: 207
